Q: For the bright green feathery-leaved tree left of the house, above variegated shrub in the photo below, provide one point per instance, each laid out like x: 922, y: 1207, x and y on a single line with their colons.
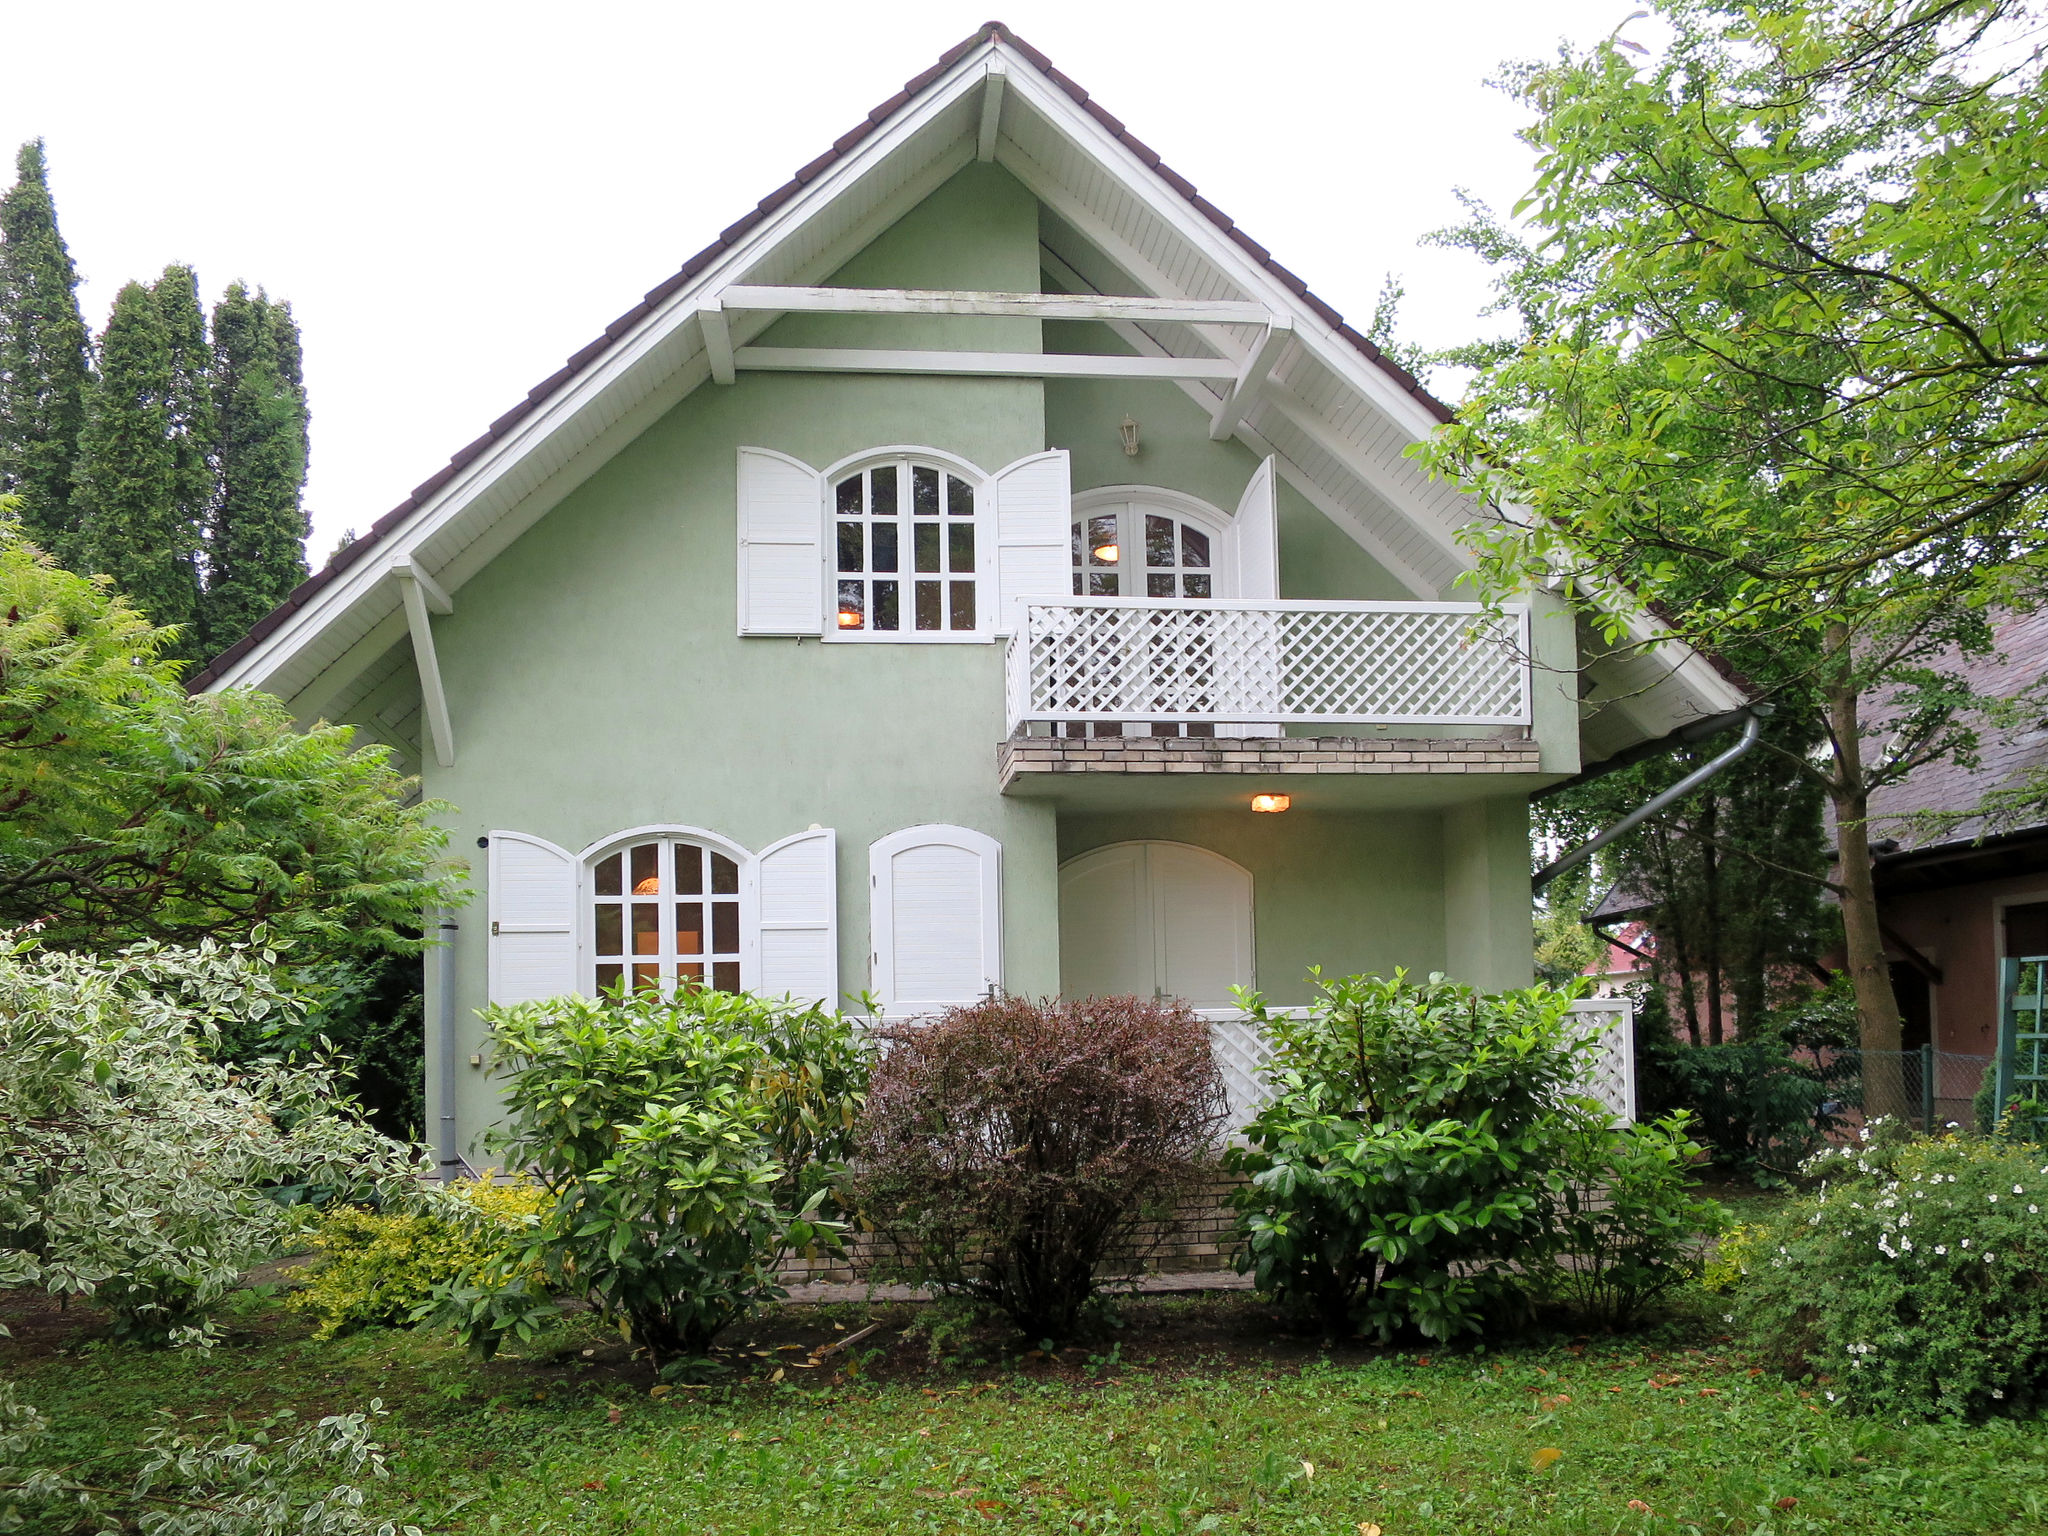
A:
x: 136, y: 812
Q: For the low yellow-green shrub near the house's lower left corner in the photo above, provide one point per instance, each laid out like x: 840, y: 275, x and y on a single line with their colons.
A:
x: 378, y: 1269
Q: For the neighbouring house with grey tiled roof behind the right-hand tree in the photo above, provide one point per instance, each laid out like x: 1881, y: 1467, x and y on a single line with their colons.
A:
x: 1965, y: 902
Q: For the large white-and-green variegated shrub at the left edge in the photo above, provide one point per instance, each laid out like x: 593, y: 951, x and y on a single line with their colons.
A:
x: 136, y: 1166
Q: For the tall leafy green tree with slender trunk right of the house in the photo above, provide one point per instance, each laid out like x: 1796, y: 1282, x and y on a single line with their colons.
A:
x: 1783, y: 370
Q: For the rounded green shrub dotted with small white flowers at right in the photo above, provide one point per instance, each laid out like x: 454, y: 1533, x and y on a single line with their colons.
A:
x: 1912, y: 1283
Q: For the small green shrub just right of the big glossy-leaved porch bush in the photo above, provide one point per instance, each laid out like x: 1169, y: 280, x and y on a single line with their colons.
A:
x: 1627, y: 1226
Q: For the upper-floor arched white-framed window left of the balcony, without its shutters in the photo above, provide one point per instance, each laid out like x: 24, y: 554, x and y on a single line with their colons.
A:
x: 908, y: 552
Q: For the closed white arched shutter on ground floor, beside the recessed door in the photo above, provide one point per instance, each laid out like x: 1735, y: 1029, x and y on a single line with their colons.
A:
x: 937, y: 919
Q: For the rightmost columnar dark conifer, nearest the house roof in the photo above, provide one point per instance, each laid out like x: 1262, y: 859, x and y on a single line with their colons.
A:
x: 257, y: 552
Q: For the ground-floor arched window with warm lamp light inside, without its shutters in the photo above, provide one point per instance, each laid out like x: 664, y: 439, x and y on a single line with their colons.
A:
x: 665, y: 910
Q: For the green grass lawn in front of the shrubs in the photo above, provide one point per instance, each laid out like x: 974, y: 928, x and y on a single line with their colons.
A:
x: 1199, y: 1420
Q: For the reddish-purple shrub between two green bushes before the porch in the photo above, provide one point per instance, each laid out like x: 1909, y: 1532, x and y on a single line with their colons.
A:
x: 1011, y: 1148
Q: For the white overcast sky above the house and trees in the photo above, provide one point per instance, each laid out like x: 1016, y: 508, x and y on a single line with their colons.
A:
x: 456, y: 198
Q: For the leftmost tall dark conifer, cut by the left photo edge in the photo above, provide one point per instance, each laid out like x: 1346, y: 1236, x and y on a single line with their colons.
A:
x: 44, y: 357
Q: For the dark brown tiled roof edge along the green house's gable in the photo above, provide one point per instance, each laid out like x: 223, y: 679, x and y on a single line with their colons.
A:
x: 542, y: 392
